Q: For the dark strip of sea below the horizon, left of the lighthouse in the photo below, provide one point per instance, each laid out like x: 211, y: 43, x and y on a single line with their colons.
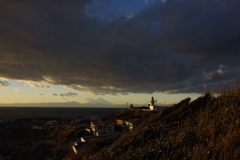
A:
x: 13, y: 113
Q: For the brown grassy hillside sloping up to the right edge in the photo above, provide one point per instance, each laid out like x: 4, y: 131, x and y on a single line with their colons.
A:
x: 207, y: 128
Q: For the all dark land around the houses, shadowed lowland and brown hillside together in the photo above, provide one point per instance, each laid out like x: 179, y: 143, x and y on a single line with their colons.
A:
x: 207, y: 128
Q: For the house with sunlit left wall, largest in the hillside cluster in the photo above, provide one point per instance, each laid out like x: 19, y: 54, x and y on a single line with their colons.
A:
x: 100, y: 128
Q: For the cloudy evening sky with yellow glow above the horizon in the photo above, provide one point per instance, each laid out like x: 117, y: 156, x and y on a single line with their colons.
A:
x: 117, y: 50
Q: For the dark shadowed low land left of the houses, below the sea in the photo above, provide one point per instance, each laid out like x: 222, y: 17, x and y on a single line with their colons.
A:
x: 33, y: 139
